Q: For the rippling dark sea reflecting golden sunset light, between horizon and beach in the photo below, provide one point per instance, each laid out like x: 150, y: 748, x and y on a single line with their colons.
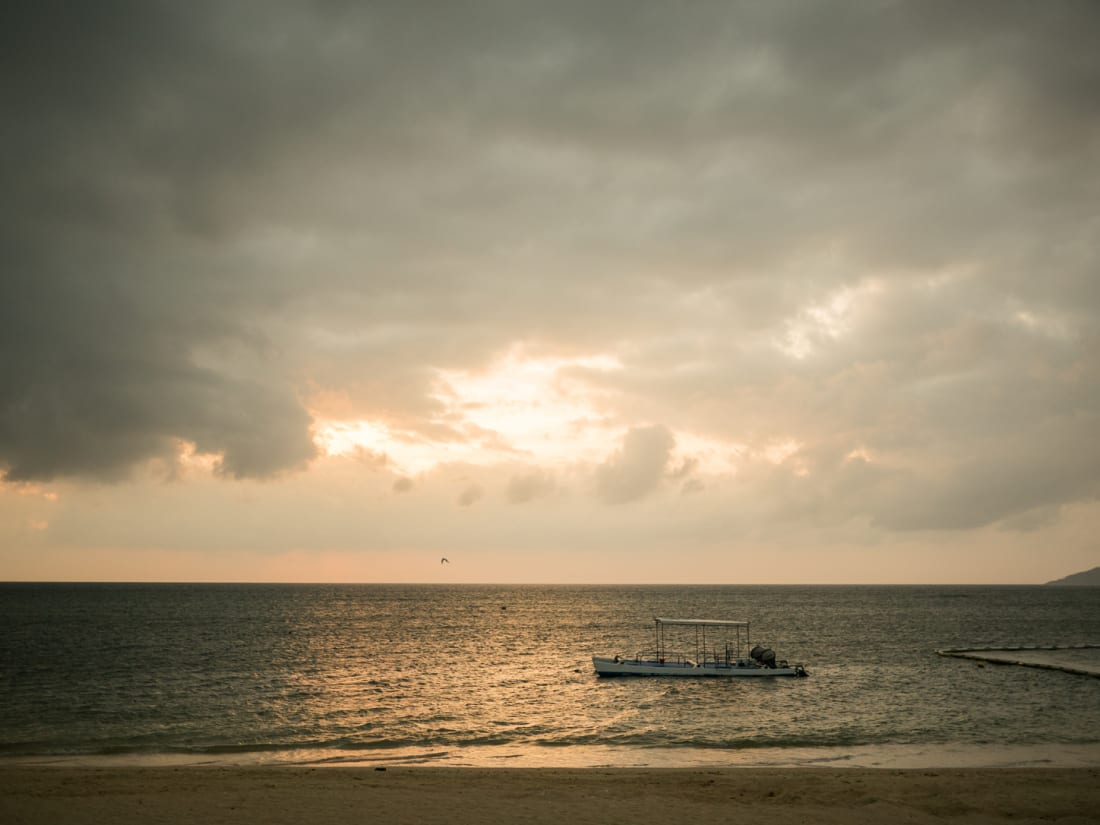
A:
x: 502, y: 676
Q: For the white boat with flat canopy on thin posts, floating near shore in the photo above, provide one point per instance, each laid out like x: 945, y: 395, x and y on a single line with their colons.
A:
x: 721, y: 648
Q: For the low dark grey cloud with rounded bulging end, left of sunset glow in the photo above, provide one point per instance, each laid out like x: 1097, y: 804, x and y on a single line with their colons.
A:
x: 93, y: 386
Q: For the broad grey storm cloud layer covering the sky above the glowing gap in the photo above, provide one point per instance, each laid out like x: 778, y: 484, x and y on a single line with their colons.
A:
x: 212, y: 210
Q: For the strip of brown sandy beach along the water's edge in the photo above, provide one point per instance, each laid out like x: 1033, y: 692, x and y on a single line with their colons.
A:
x: 41, y: 795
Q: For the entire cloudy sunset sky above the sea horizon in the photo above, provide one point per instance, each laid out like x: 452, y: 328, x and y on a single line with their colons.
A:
x: 576, y: 292
